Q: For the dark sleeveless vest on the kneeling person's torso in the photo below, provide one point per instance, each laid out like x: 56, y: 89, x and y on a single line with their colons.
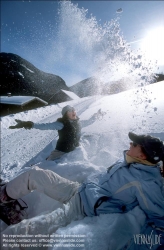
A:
x: 69, y: 135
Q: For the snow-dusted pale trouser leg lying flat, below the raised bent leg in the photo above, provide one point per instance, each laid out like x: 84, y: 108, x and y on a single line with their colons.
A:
x: 49, y: 223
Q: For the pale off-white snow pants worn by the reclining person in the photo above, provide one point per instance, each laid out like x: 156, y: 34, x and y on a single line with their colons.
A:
x: 56, y: 187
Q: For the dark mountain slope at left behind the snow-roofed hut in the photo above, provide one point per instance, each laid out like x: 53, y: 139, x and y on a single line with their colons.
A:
x: 20, y: 77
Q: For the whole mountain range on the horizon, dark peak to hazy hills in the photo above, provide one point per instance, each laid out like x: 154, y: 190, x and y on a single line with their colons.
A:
x: 20, y: 77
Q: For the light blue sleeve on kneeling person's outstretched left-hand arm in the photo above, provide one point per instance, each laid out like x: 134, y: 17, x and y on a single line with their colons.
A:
x: 49, y: 126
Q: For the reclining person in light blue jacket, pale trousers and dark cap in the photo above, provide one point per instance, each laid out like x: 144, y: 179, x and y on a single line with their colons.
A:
x: 135, y: 181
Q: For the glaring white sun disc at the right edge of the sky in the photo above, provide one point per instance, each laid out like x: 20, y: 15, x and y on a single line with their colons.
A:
x: 153, y: 45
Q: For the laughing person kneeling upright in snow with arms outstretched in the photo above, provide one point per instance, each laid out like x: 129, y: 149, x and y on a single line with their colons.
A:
x: 69, y: 131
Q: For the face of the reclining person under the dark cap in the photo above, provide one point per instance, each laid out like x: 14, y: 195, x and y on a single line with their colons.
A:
x: 135, y: 150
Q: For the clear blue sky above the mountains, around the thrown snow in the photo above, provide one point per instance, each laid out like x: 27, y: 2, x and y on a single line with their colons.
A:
x: 32, y: 30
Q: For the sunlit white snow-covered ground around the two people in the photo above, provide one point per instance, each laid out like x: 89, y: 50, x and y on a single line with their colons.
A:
x: 138, y: 110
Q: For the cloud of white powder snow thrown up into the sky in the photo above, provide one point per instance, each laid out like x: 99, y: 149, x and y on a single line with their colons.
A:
x: 99, y: 50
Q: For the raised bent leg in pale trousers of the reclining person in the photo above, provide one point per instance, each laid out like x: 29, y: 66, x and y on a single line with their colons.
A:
x: 45, y: 181
